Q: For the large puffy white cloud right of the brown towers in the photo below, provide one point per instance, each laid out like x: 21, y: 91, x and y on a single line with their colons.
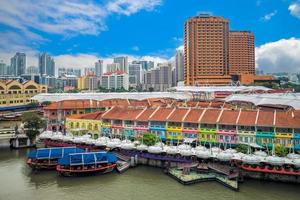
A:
x: 279, y: 56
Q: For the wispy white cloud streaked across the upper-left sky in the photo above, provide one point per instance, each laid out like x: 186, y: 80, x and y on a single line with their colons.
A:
x: 27, y: 19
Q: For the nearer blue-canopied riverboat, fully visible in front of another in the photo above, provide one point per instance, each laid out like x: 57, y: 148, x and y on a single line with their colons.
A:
x: 86, y: 163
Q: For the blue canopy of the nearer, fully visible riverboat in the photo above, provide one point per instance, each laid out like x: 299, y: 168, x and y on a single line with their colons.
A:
x: 88, y: 158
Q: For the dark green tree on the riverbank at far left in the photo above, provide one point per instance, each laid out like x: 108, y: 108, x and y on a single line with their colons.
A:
x: 32, y: 124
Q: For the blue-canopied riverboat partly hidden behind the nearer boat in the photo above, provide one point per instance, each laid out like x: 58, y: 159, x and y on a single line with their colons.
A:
x: 46, y: 158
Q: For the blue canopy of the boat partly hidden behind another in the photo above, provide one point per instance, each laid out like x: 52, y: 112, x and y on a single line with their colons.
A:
x: 53, y: 153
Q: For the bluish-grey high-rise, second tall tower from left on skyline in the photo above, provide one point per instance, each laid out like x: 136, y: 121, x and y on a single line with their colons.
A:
x: 46, y: 65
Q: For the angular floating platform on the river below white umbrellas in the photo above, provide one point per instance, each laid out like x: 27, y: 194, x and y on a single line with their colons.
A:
x: 196, y: 177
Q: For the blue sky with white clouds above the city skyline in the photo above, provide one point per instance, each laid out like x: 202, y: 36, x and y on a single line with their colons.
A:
x: 78, y: 32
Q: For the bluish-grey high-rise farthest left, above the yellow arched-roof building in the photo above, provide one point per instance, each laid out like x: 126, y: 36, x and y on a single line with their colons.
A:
x: 18, y: 64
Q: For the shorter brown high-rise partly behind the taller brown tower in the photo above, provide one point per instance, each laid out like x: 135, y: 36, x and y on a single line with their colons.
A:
x: 241, y: 53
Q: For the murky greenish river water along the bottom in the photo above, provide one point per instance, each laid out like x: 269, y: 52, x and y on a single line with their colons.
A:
x: 18, y: 182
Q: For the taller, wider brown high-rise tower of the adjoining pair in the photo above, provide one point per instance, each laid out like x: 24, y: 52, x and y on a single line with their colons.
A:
x: 206, y: 47
